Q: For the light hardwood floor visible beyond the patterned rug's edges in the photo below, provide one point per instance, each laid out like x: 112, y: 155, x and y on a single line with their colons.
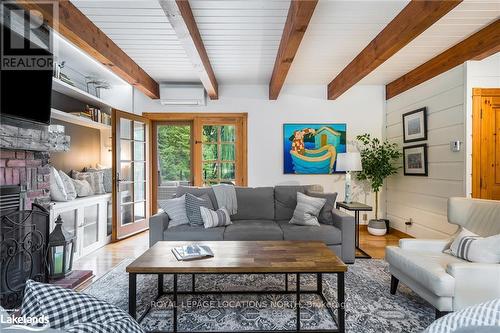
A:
x: 104, y: 259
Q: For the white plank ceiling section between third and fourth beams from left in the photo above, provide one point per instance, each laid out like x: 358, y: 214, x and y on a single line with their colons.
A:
x: 338, y: 31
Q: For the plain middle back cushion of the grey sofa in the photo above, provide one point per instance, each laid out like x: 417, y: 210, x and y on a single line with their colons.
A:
x: 254, y: 203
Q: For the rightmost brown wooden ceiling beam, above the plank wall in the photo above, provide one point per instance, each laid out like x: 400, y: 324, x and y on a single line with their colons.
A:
x: 483, y: 43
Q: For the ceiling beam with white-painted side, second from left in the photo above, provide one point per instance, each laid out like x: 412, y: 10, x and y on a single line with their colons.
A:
x: 181, y: 18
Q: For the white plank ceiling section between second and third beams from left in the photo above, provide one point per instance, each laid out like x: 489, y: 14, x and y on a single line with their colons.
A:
x: 241, y: 37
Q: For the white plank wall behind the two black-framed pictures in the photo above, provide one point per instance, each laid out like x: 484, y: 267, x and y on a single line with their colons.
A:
x: 424, y: 199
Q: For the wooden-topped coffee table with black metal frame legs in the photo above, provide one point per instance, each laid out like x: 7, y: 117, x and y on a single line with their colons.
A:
x: 244, y: 257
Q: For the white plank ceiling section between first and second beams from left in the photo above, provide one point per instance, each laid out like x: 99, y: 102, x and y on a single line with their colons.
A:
x: 141, y: 29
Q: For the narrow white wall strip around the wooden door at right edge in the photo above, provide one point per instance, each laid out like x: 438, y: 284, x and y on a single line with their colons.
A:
x: 479, y: 74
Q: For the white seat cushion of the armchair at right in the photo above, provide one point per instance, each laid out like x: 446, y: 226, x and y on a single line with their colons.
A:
x: 428, y: 268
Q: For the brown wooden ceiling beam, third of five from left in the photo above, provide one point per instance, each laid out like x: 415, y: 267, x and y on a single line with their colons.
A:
x: 299, y: 15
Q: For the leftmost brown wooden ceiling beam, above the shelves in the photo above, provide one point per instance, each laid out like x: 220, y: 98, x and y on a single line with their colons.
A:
x: 72, y: 24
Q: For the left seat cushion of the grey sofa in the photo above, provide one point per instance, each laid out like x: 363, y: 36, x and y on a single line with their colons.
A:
x: 188, y: 232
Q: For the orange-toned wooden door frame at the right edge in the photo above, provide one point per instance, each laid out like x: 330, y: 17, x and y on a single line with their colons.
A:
x: 477, y: 95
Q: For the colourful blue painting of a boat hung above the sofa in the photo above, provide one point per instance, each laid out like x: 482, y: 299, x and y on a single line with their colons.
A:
x: 312, y: 148
